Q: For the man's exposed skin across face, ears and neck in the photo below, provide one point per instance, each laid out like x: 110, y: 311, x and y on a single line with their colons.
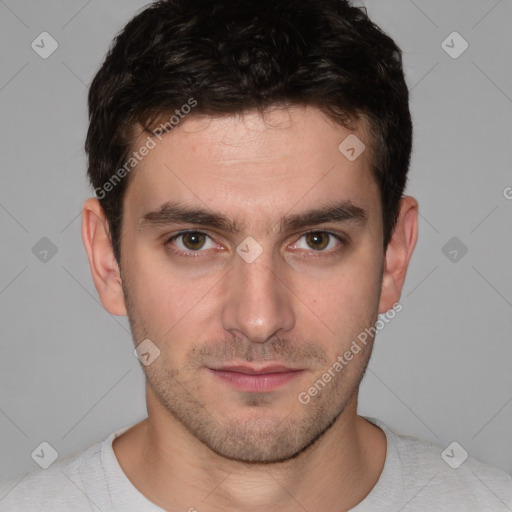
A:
x: 206, y: 445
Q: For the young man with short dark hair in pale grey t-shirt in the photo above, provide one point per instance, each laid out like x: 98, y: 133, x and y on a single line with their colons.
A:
x: 249, y: 161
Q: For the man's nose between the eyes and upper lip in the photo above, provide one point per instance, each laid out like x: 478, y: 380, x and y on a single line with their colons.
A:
x: 258, y: 304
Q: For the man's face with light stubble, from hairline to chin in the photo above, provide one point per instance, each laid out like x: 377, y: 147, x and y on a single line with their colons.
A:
x: 251, y: 256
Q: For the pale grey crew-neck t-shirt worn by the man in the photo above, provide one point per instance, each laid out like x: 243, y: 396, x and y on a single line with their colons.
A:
x: 415, y: 478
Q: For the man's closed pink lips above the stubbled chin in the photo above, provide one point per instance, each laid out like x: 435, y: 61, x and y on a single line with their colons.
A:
x: 256, y: 379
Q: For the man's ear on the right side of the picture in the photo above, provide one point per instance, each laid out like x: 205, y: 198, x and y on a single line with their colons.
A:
x: 398, y: 253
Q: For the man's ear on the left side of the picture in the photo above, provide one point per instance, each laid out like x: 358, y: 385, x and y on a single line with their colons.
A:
x: 104, y: 268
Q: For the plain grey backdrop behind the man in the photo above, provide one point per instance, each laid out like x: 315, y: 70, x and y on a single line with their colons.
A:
x: 440, y: 370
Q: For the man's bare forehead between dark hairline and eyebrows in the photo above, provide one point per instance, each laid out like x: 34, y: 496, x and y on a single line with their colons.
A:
x: 255, y: 165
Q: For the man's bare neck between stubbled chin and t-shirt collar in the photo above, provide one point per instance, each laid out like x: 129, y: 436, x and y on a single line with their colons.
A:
x: 176, y: 471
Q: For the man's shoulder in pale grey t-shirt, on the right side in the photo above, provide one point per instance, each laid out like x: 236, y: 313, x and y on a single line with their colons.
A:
x: 441, y: 477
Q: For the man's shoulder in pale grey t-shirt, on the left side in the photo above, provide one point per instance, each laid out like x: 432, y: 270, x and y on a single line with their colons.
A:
x: 55, y: 488
